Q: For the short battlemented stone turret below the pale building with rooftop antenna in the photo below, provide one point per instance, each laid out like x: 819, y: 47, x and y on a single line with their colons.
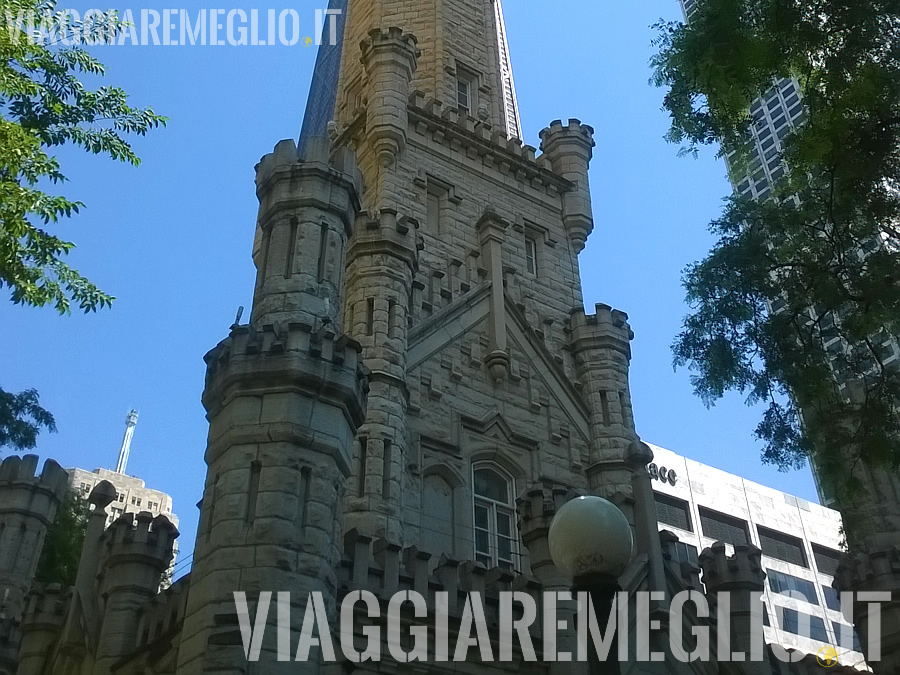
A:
x: 136, y: 550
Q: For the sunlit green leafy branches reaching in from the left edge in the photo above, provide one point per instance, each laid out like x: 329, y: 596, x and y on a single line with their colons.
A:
x: 43, y: 105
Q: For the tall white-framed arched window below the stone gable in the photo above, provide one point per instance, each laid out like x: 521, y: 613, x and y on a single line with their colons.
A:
x: 496, y: 540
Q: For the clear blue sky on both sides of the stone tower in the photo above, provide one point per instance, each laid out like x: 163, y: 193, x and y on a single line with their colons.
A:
x: 171, y: 239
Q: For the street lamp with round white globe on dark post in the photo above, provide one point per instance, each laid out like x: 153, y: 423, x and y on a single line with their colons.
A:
x: 590, y: 542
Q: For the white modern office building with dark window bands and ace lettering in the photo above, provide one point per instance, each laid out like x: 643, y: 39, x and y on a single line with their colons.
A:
x: 801, y: 544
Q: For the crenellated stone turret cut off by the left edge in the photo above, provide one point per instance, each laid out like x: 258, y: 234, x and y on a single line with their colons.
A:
x: 28, y: 505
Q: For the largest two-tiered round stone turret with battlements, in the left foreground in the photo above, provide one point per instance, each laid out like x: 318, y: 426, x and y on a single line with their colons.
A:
x: 284, y: 397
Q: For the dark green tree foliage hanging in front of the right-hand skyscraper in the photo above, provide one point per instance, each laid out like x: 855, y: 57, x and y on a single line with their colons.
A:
x: 799, y: 291
